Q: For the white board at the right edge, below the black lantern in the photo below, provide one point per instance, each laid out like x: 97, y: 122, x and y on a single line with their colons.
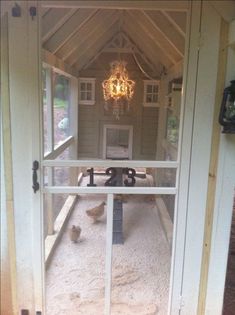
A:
x: 221, y: 227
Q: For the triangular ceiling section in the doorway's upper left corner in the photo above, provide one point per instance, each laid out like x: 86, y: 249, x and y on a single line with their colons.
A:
x: 53, y: 20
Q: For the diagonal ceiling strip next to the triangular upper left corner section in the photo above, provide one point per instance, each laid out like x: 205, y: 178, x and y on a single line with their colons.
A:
x: 69, y: 29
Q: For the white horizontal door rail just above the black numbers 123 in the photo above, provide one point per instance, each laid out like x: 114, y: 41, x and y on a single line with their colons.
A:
x: 109, y: 163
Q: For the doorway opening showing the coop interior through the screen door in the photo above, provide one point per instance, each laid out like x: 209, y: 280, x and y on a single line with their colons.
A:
x: 121, y: 261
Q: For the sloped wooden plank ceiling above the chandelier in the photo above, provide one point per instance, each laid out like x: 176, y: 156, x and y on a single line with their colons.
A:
x: 78, y: 33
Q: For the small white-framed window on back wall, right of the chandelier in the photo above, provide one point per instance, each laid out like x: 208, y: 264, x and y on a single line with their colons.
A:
x: 151, y: 93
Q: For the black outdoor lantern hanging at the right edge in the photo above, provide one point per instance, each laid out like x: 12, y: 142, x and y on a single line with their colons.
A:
x: 227, y: 110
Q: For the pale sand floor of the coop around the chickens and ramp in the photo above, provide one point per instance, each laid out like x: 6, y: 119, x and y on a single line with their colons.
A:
x: 141, y: 266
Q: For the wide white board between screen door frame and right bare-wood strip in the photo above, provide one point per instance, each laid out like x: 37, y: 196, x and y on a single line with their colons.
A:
x: 205, y: 90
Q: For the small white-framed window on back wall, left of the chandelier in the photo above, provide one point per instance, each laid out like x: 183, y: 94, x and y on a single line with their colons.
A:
x: 87, y: 91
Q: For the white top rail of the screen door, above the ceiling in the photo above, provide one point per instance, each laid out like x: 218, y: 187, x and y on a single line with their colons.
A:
x: 120, y: 5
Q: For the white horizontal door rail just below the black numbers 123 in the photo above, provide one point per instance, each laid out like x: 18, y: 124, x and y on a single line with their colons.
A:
x: 110, y: 190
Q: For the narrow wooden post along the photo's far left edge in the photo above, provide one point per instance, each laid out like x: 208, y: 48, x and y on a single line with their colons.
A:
x: 10, y: 297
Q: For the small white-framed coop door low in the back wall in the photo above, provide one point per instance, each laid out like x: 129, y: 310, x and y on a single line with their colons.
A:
x: 117, y: 143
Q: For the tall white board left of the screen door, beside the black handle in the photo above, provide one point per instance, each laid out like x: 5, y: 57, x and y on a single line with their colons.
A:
x: 24, y: 61
